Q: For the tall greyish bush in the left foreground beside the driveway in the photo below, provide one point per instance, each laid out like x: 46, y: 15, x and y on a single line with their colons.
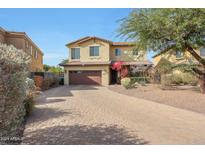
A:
x: 14, y: 70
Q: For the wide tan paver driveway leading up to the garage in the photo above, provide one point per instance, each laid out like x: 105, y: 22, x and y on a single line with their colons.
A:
x: 96, y: 115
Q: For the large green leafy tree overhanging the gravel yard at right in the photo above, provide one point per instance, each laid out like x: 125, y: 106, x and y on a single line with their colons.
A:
x: 168, y: 30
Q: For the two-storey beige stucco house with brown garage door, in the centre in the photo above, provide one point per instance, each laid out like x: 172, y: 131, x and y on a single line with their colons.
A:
x: 91, y: 60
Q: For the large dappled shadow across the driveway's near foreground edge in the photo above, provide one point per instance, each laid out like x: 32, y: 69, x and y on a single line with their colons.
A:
x: 83, y: 135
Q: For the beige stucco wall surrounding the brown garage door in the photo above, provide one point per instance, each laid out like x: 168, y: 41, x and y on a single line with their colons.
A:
x: 105, y: 72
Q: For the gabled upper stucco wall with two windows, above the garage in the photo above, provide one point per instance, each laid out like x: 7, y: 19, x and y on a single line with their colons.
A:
x: 104, y: 49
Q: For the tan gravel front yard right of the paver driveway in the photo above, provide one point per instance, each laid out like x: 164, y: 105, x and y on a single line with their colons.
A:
x: 189, y: 99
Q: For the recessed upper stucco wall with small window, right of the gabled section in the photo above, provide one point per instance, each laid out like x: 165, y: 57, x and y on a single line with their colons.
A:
x: 126, y: 54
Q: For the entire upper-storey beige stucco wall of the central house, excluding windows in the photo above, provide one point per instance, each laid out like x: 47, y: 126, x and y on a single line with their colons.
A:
x: 106, y: 52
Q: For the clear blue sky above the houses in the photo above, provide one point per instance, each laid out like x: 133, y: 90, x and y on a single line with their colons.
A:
x: 51, y: 29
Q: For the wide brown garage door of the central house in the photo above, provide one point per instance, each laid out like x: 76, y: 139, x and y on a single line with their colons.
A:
x: 85, y: 77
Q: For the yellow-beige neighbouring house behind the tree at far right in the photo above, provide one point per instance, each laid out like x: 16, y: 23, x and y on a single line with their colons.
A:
x: 178, y: 57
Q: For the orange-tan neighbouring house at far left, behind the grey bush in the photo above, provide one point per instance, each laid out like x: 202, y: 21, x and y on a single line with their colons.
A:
x: 21, y: 41
